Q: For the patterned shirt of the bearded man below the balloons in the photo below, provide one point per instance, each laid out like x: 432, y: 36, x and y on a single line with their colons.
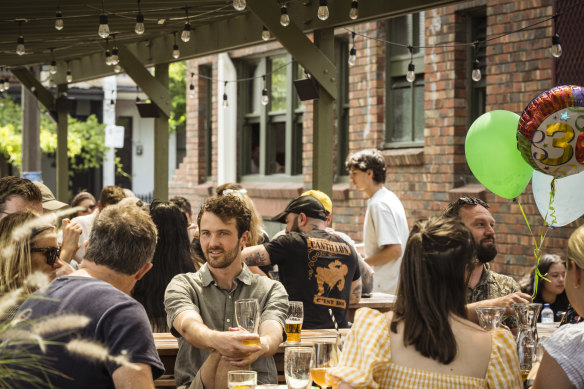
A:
x: 494, y: 285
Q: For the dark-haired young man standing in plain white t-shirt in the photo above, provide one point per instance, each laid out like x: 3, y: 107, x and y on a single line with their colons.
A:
x: 385, y: 230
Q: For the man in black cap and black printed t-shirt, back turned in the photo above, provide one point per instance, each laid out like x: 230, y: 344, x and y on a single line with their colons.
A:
x: 316, y: 267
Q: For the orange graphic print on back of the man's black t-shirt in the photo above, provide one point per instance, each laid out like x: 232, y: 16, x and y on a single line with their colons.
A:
x: 330, y: 277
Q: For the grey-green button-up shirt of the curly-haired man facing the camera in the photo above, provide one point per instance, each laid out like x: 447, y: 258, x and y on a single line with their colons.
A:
x: 199, y: 292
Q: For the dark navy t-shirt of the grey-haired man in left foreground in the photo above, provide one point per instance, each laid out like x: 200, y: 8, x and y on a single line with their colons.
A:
x: 118, y: 322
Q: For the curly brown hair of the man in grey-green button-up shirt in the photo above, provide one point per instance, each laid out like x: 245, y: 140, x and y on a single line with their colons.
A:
x: 228, y: 207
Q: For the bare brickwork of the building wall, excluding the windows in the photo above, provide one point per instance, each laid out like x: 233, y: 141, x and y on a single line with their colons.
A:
x: 519, y: 67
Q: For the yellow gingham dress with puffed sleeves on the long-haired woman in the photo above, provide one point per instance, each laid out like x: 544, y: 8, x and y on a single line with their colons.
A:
x: 366, y: 361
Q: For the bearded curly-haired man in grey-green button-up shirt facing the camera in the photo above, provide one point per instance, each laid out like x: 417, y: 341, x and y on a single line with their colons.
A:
x: 200, y: 306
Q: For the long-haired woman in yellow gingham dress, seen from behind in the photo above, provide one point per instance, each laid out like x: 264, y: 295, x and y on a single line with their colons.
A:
x: 427, y: 342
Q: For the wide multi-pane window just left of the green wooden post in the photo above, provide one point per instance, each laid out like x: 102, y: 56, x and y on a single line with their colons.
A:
x: 271, y: 142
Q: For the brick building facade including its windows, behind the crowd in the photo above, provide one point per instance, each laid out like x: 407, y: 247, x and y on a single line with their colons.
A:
x: 428, y: 169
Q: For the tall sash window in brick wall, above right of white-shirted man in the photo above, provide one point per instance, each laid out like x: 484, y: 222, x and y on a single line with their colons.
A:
x: 404, y: 104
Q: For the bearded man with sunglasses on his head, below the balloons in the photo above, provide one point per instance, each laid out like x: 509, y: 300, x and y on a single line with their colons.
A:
x: 485, y: 287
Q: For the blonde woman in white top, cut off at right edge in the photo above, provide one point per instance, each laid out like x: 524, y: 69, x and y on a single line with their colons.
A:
x: 563, y: 360
